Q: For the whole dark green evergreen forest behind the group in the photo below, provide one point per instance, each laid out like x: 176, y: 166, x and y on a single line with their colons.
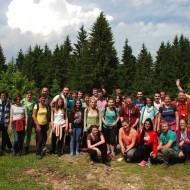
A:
x: 92, y: 62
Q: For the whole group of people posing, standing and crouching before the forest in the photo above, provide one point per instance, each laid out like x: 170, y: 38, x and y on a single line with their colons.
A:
x: 151, y: 129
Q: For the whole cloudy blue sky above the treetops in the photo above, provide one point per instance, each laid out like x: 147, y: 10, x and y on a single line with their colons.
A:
x: 30, y: 22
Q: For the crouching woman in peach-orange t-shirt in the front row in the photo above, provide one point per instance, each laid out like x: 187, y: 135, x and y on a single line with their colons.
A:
x: 127, y: 140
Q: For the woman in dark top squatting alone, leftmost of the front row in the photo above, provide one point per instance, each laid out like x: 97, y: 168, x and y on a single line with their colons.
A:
x: 96, y: 145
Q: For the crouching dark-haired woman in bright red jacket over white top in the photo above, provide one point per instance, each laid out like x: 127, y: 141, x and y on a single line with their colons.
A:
x: 147, y: 143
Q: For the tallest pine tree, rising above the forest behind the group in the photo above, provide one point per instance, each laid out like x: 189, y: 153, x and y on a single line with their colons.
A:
x: 104, y: 59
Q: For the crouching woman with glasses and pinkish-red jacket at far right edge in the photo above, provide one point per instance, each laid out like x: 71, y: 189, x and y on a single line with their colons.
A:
x: 183, y: 137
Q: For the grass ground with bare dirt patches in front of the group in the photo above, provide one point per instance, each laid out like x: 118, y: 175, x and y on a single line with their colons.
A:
x: 25, y: 173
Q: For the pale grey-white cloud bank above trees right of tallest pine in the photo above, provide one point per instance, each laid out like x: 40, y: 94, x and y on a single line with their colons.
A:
x: 150, y: 34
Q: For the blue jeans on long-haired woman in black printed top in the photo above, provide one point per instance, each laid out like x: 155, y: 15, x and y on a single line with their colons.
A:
x: 75, y: 138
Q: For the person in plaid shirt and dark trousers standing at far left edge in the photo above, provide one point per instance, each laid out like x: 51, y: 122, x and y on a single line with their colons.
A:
x: 4, y: 120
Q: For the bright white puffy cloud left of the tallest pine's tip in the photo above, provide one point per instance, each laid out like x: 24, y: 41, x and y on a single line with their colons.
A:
x: 46, y: 16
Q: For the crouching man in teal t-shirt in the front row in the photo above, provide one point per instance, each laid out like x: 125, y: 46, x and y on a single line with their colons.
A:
x: 168, y: 146
